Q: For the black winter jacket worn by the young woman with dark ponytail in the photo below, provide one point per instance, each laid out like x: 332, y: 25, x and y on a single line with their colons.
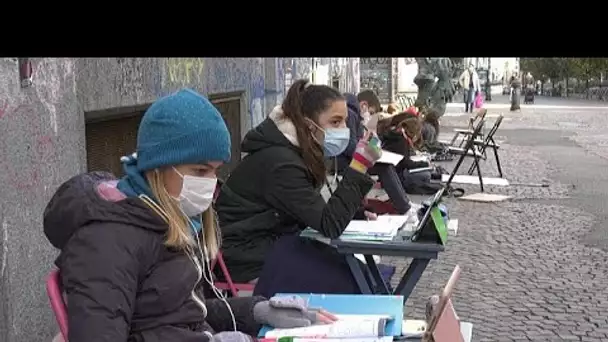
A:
x: 271, y: 193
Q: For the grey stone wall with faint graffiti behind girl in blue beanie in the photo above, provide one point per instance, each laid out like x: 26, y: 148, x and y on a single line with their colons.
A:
x: 42, y: 144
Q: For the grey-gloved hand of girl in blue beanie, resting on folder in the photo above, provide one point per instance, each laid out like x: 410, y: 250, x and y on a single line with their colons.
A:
x: 287, y: 312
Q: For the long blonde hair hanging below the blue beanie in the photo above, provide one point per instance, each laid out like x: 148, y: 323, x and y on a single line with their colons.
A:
x: 179, y: 234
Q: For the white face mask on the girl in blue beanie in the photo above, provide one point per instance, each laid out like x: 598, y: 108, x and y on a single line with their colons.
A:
x: 197, y: 194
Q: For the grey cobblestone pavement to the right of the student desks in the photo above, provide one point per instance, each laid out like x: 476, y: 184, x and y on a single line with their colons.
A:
x: 529, y: 273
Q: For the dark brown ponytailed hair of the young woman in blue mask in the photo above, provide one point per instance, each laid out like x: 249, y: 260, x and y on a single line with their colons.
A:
x: 306, y: 101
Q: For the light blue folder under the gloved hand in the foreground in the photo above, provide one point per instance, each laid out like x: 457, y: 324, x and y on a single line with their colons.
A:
x: 356, y: 305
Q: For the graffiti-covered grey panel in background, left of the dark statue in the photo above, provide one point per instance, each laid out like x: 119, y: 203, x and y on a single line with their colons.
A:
x: 376, y: 75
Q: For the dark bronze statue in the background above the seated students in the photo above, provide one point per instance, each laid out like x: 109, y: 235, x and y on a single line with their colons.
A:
x: 431, y: 93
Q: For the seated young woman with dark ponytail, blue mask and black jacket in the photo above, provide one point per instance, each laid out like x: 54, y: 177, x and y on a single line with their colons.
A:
x: 274, y: 193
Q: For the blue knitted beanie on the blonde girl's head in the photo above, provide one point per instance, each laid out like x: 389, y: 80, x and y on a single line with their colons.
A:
x: 181, y: 128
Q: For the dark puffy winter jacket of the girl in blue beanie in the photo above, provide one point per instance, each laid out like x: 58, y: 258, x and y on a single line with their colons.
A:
x: 122, y: 283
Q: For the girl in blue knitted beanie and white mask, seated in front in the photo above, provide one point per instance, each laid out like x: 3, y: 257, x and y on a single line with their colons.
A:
x: 135, y: 253
